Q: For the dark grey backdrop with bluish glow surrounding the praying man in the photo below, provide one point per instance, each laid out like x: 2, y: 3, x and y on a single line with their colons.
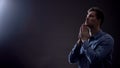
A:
x: 41, y: 33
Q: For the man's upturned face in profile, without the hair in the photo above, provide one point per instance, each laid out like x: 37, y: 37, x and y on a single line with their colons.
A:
x: 91, y: 19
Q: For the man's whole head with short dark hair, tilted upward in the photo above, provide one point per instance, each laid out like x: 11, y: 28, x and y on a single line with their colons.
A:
x: 95, y: 17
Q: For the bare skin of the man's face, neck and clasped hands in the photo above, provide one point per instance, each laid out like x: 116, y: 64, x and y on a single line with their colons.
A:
x: 90, y: 27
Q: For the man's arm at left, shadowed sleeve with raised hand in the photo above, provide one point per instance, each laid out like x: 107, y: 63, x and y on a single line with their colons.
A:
x: 77, y: 51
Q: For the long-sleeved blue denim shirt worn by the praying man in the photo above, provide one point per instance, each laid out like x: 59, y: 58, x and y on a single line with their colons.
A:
x: 93, y: 53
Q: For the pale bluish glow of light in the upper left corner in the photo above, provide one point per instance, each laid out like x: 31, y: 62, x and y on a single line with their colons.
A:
x: 12, y: 17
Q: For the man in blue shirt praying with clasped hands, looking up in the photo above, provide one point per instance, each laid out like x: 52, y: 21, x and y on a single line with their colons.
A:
x: 94, y: 47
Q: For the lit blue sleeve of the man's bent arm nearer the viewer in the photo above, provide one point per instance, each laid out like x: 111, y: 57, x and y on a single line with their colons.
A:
x: 103, y: 48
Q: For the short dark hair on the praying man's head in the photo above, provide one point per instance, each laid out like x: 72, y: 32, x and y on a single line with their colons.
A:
x: 99, y: 14
